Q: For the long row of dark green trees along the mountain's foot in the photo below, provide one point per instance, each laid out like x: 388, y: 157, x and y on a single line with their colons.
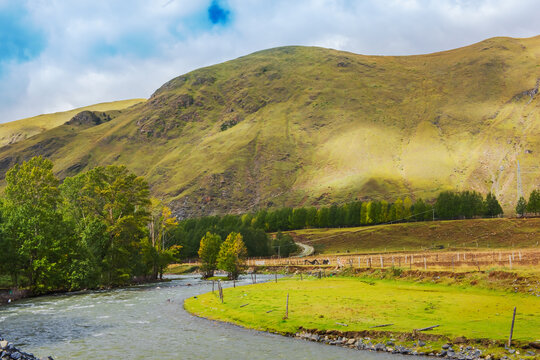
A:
x: 254, y: 227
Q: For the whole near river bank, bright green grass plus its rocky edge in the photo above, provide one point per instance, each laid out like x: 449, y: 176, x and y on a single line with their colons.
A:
x: 472, y: 322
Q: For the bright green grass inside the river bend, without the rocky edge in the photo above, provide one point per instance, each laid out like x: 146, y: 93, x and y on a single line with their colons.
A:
x: 328, y: 303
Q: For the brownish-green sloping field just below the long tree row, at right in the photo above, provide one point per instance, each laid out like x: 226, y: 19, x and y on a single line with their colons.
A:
x: 474, y: 234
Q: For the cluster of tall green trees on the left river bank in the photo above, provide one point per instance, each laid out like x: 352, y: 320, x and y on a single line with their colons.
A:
x: 90, y: 231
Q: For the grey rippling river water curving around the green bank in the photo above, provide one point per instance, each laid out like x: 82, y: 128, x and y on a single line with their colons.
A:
x: 147, y: 322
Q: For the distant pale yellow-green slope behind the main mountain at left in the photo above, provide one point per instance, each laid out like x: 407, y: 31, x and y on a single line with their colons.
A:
x: 18, y: 130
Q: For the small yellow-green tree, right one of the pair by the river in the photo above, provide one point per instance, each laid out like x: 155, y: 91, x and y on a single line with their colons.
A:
x: 231, y: 255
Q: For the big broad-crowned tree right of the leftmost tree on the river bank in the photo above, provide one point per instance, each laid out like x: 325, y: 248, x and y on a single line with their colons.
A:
x: 116, y: 201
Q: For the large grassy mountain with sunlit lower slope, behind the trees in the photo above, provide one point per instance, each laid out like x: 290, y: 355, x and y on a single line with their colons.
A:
x: 306, y: 125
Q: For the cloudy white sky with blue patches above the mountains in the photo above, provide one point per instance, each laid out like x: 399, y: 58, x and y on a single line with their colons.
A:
x: 57, y: 55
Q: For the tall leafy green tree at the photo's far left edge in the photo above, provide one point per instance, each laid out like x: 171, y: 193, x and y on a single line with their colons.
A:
x: 36, y: 238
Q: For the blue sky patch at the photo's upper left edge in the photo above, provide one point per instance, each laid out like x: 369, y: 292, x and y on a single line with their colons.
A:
x: 20, y: 41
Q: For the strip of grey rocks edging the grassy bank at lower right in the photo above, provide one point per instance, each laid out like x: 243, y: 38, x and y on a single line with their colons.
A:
x: 419, y: 348
